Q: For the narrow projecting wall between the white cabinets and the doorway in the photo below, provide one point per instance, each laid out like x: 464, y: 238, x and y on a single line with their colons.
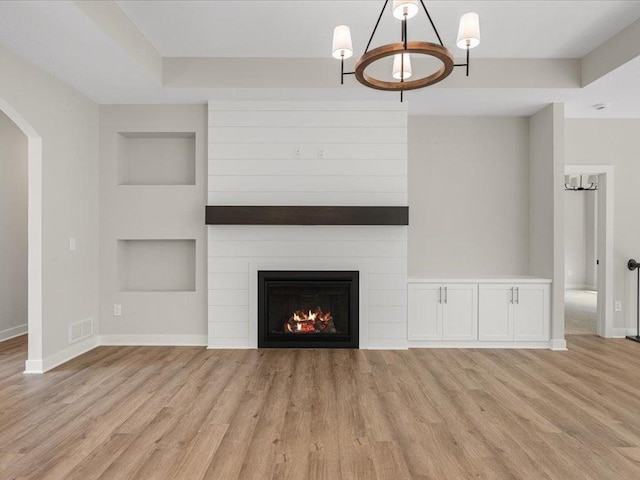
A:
x: 546, y: 208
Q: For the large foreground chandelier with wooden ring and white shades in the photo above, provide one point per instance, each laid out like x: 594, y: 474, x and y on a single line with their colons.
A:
x: 403, y: 10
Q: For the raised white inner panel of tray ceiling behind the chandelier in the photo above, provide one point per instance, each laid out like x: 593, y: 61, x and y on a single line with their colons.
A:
x: 240, y: 28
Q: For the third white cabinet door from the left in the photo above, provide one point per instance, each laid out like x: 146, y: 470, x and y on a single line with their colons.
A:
x: 495, y: 313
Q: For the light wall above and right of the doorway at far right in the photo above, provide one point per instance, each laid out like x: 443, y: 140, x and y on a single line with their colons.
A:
x: 617, y: 143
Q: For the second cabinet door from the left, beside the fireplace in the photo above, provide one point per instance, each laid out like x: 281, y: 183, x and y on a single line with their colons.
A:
x: 460, y: 312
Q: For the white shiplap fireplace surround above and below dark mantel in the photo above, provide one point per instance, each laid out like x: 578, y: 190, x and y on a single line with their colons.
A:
x: 307, y: 153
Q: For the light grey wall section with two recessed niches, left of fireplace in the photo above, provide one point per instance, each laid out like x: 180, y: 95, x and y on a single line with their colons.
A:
x: 161, y: 211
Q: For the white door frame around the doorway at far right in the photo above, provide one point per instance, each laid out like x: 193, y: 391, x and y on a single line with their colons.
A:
x: 604, y: 322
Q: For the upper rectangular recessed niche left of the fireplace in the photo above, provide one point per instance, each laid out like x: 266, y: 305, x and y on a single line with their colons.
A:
x: 156, y: 158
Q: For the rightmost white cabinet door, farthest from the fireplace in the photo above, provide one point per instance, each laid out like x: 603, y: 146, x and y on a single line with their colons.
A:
x: 531, y: 313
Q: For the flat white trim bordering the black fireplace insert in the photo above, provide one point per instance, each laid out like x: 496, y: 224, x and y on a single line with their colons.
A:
x: 316, y: 264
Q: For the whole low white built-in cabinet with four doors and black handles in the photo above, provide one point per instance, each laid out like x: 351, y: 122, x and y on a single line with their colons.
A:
x: 479, y: 312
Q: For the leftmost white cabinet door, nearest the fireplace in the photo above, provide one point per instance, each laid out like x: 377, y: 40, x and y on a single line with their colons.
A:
x: 424, y: 312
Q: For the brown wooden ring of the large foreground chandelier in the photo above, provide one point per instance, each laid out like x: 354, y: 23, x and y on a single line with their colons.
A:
x: 422, y: 48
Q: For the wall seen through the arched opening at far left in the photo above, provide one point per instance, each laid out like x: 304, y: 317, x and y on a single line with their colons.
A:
x: 13, y: 229
